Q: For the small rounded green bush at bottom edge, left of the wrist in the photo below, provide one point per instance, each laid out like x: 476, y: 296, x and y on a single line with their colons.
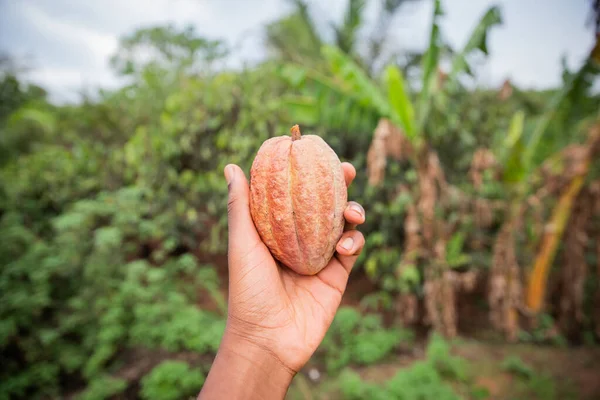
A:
x: 171, y: 380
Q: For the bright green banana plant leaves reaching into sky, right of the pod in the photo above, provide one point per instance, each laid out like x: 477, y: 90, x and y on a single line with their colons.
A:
x: 348, y: 87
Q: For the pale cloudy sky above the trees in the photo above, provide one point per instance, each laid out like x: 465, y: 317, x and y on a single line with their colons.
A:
x: 68, y: 43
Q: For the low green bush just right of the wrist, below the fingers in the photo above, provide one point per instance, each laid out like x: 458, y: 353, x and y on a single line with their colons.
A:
x: 358, y: 339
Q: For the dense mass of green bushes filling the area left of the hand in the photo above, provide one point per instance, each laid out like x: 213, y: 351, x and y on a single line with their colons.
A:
x: 108, y: 230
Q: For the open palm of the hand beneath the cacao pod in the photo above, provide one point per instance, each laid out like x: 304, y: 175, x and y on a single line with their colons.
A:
x: 295, y: 310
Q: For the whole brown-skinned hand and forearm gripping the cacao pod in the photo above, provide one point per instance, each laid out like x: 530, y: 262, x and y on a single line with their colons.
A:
x: 276, y: 317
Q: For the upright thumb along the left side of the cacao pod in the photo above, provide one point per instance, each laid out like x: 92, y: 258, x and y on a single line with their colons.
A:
x: 241, y: 227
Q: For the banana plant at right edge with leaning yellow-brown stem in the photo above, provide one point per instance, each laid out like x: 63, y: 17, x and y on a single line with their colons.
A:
x: 522, y: 155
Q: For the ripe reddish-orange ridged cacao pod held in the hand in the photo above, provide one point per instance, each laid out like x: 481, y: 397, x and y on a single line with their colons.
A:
x: 297, y: 199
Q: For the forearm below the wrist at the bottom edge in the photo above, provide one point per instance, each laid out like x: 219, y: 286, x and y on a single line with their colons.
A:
x: 243, y: 370
